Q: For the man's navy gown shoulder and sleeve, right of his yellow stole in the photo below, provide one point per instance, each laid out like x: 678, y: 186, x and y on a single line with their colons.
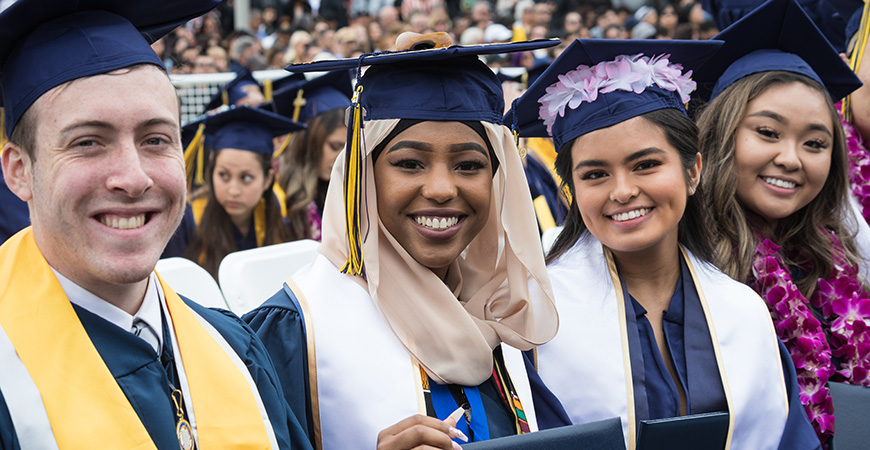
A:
x: 288, y: 431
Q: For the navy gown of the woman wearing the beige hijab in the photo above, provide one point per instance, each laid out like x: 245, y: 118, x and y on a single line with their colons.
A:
x: 279, y: 324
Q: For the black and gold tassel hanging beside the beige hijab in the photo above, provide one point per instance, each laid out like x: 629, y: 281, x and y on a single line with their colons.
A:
x: 353, y: 190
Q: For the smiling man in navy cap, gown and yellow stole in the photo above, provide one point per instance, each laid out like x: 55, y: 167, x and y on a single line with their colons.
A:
x: 96, y: 351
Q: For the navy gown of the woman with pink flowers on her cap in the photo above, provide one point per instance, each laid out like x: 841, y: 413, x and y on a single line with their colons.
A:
x: 691, y: 350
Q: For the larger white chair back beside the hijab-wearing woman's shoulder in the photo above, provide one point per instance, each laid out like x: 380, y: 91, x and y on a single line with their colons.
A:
x: 249, y: 277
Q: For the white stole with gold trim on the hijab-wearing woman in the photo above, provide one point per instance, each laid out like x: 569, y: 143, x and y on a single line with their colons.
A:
x: 362, y: 379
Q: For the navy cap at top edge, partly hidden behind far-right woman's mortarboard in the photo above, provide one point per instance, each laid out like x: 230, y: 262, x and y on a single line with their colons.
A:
x: 828, y: 15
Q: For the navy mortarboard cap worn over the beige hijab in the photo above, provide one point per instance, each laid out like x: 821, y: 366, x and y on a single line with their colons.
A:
x: 448, y: 83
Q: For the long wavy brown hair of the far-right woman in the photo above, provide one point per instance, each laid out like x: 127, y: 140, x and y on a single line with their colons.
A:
x: 804, y: 235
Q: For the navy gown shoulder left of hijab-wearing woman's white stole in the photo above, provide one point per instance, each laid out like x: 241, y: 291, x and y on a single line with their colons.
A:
x: 278, y: 323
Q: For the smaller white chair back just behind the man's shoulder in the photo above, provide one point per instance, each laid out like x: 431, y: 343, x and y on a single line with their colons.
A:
x: 187, y: 278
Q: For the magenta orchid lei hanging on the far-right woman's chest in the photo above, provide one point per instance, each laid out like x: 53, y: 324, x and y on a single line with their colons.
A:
x: 845, y: 308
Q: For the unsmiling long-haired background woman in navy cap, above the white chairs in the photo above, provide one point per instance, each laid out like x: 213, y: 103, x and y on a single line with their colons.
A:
x: 241, y: 211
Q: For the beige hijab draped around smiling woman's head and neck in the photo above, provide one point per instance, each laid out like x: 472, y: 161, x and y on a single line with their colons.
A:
x: 453, y: 340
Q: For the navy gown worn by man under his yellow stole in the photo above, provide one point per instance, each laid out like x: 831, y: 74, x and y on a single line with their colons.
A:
x: 143, y: 379
